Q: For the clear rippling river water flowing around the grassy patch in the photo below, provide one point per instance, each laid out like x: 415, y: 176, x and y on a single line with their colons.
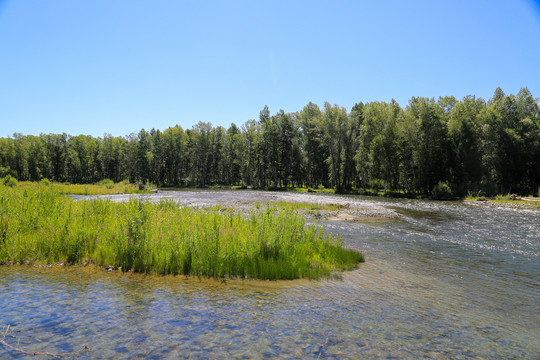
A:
x: 444, y: 280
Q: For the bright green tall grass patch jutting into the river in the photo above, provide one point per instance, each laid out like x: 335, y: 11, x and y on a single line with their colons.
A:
x: 38, y: 225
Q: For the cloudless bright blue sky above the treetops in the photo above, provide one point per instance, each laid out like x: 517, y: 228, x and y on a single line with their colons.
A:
x: 99, y: 66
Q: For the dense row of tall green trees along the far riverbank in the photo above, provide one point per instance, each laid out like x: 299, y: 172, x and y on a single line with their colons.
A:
x: 470, y: 145
